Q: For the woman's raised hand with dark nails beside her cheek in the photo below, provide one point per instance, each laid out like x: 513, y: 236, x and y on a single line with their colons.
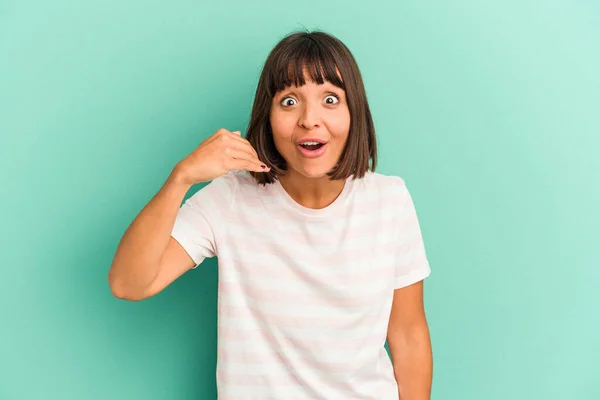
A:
x: 222, y: 152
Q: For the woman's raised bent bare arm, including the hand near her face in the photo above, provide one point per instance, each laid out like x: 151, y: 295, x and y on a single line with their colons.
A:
x: 148, y: 259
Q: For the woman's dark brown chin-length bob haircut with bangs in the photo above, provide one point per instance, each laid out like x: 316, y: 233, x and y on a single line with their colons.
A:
x: 322, y: 55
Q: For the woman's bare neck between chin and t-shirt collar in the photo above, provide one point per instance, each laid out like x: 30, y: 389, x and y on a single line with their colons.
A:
x: 315, y: 193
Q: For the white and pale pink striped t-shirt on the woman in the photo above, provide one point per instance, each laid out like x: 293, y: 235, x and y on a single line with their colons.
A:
x: 304, y: 295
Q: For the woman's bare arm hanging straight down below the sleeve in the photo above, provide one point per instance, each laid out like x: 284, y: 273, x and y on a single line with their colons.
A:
x: 409, y: 343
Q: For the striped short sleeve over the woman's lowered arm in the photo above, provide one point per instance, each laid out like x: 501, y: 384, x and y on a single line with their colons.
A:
x: 412, y: 264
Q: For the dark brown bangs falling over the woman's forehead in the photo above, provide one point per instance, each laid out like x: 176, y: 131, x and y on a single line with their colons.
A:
x: 298, y: 58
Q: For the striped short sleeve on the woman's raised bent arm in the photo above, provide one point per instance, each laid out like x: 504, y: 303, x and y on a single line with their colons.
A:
x: 201, y: 216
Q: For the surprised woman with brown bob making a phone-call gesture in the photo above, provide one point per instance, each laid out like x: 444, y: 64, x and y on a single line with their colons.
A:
x: 320, y: 258
